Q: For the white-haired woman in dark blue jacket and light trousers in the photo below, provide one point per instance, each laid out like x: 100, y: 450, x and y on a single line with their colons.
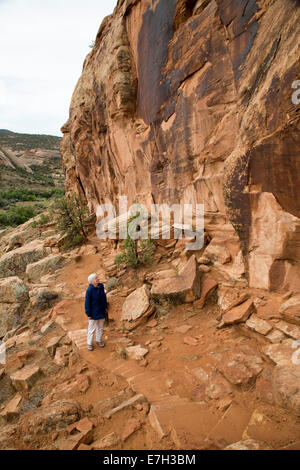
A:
x: 96, y: 310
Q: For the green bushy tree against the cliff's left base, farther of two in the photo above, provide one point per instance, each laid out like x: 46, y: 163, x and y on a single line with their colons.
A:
x: 69, y: 213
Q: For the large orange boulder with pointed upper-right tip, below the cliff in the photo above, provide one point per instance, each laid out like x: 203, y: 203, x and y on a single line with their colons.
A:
x: 185, y: 287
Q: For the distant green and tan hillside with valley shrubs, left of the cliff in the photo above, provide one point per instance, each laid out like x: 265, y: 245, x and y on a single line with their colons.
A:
x: 30, y: 175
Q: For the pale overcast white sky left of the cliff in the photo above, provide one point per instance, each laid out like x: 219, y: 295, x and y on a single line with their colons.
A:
x: 43, y: 44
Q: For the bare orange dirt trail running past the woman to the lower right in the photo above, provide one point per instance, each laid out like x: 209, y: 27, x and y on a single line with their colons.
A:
x: 191, y: 401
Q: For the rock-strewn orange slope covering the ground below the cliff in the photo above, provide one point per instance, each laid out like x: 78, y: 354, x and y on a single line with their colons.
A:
x: 192, y: 360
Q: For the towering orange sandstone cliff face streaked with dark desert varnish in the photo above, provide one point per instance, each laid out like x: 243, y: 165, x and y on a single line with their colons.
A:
x: 191, y: 101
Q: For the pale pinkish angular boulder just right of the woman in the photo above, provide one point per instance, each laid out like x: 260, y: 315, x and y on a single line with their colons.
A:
x: 136, y: 304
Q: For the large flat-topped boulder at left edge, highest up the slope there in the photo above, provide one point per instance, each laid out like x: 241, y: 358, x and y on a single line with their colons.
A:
x: 15, y: 262
